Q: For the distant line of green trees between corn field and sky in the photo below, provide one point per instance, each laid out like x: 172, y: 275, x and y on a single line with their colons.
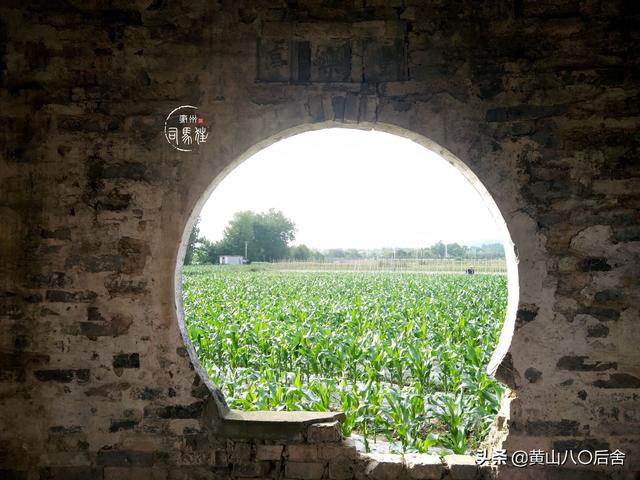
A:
x: 266, y: 237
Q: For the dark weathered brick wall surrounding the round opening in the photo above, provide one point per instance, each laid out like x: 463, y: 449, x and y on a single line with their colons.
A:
x: 538, y: 100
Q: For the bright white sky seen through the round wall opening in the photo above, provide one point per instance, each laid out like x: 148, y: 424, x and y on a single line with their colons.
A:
x: 347, y: 188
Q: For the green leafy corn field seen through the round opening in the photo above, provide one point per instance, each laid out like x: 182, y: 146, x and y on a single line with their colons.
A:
x: 402, y: 354
